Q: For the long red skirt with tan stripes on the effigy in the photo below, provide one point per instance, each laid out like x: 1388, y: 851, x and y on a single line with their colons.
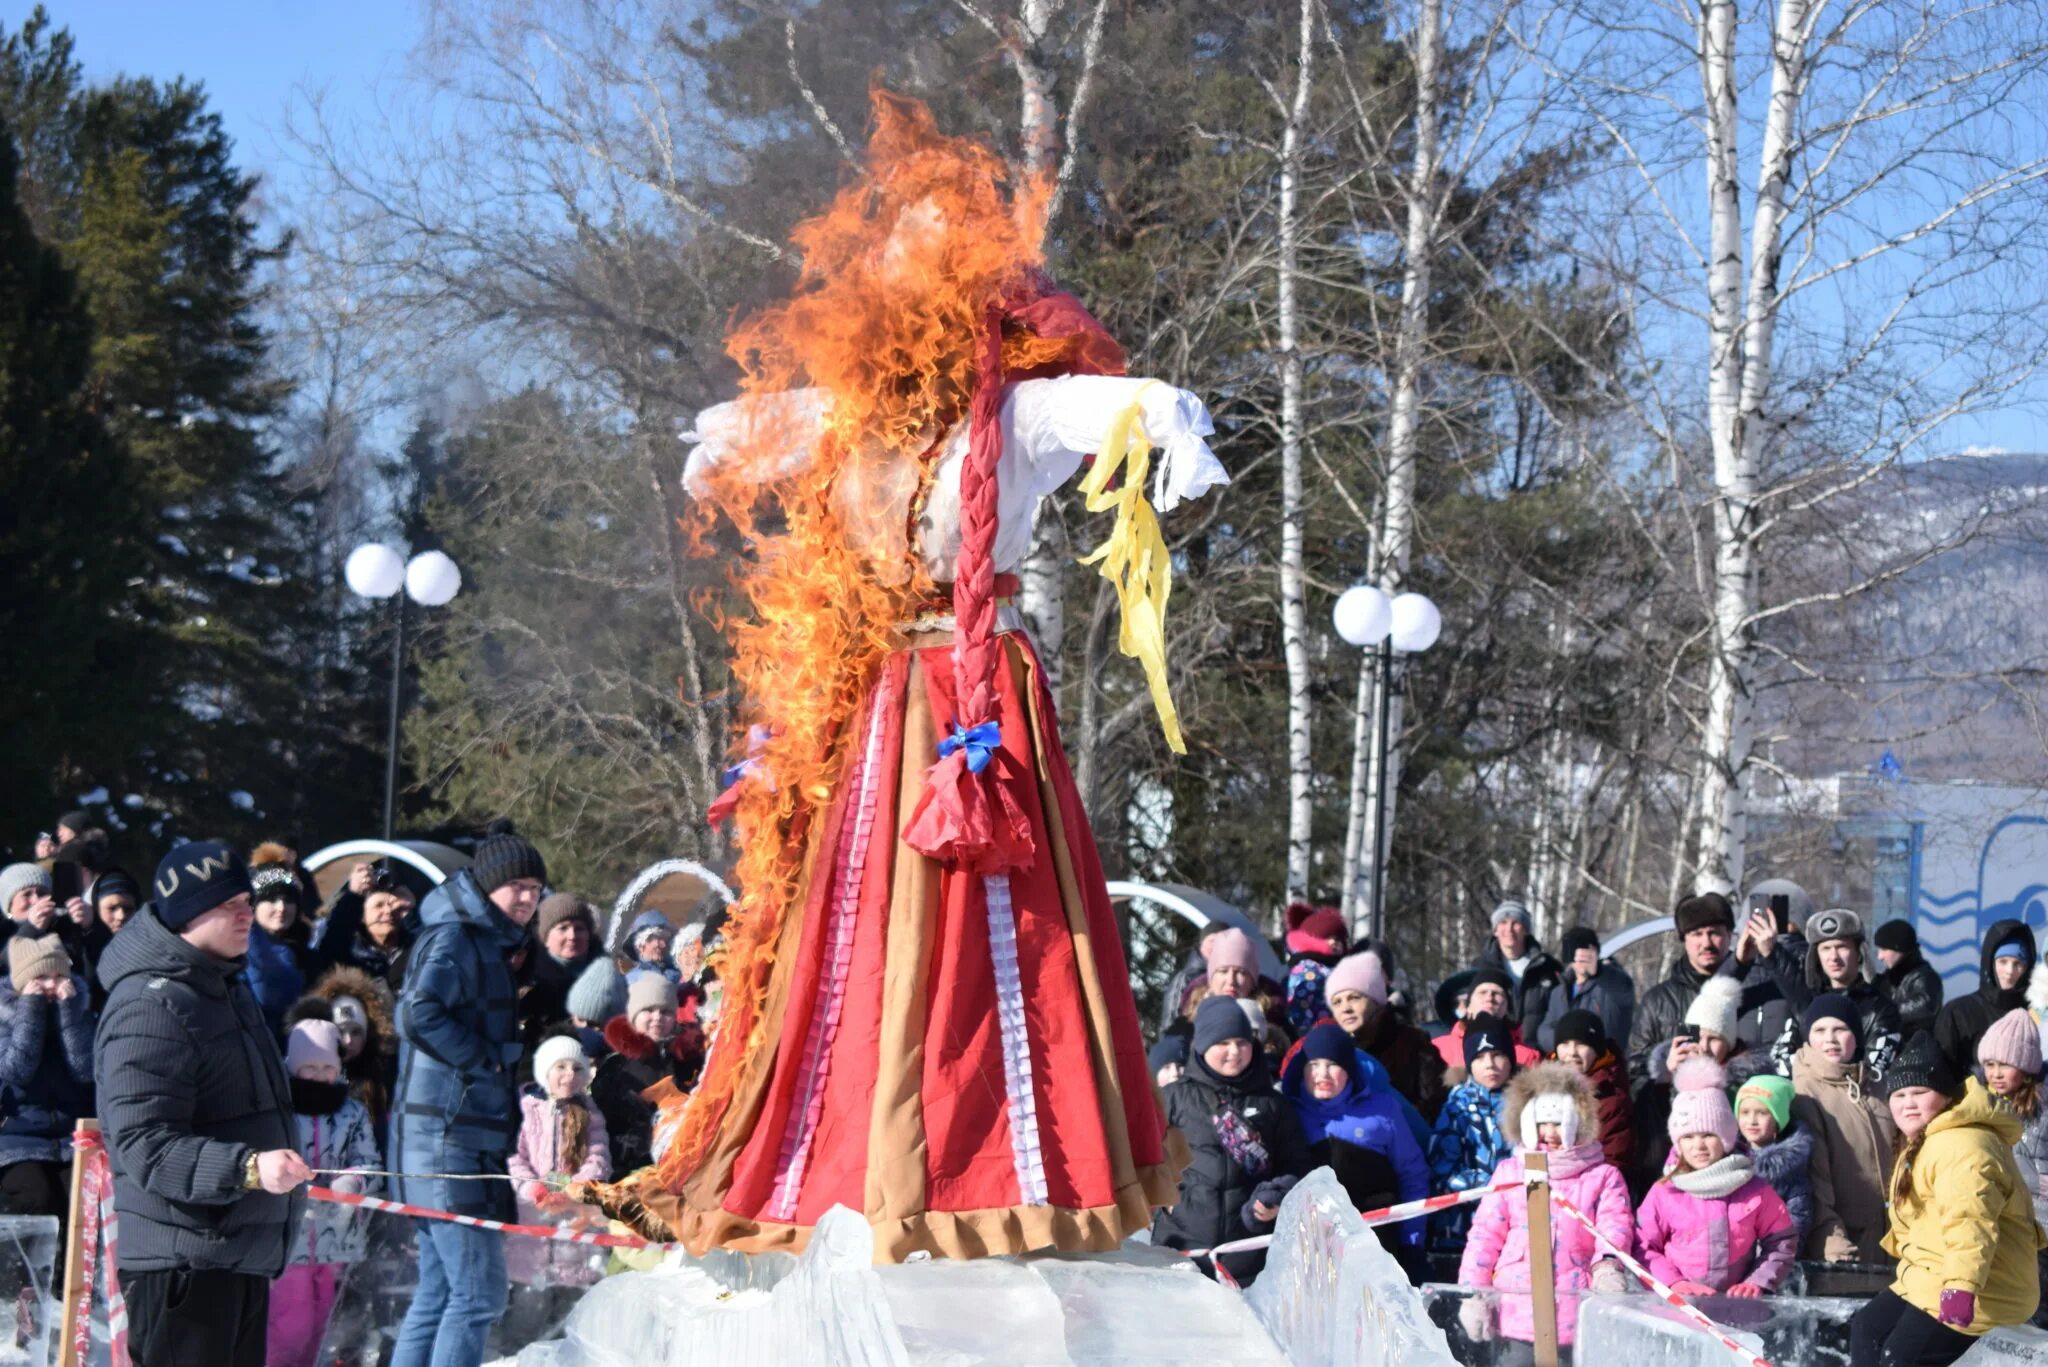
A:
x: 953, y: 1054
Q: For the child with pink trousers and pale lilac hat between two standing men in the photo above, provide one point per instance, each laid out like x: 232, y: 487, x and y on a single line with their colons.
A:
x: 335, y: 1132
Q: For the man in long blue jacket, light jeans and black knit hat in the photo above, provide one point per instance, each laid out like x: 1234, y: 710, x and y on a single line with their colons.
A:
x: 458, y: 1095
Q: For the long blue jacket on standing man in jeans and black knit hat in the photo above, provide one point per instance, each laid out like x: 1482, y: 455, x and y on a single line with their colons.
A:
x: 456, y: 1108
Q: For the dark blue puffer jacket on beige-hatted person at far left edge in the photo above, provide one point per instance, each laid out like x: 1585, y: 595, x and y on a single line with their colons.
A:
x: 46, y: 1073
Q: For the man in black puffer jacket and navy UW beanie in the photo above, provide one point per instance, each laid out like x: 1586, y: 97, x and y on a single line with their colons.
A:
x: 198, y: 1118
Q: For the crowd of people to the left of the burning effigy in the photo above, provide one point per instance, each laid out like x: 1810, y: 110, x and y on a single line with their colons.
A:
x: 470, y: 1052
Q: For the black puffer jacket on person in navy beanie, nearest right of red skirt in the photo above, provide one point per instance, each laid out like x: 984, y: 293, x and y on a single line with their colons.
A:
x: 1242, y: 1136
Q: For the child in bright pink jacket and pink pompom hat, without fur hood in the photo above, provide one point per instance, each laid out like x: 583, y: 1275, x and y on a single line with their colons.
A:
x: 1711, y: 1225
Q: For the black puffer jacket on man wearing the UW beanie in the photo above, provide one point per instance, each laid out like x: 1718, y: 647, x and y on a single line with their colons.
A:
x: 189, y: 1085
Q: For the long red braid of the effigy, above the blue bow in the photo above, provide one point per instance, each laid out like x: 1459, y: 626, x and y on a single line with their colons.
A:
x: 974, y: 583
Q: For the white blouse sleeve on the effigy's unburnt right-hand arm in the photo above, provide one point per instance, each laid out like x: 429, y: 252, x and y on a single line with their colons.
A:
x: 1054, y: 423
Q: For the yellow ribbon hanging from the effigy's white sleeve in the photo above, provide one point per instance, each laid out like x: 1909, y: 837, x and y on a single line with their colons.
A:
x: 1134, y: 556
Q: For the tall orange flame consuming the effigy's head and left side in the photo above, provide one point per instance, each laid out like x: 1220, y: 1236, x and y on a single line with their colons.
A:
x: 896, y: 278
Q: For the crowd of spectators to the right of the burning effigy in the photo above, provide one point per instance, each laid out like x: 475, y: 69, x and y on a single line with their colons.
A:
x: 1793, y: 1089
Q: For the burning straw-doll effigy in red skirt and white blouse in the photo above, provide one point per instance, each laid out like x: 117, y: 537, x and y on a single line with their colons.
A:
x: 927, y: 1011
